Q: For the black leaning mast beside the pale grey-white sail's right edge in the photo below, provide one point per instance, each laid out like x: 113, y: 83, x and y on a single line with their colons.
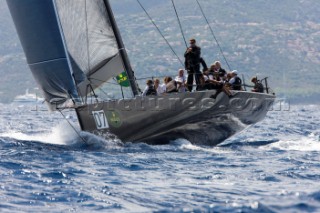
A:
x: 122, y: 49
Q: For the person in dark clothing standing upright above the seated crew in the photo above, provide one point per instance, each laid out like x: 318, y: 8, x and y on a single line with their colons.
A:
x: 192, y: 63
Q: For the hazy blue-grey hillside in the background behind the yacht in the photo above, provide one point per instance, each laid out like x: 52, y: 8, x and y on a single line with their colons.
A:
x: 265, y: 38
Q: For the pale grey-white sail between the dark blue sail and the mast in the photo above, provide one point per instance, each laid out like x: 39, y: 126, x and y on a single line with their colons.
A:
x: 91, y: 42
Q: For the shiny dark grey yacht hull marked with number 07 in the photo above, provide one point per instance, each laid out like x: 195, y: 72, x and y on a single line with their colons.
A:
x: 193, y: 116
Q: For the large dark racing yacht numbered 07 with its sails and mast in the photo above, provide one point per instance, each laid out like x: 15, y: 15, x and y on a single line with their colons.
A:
x: 74, y: 49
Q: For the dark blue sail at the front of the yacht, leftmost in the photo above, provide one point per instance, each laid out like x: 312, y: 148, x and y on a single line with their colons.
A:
x: 40, y: 35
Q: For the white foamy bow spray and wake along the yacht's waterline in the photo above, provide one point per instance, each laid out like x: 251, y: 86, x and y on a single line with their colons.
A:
x: 66, y: 137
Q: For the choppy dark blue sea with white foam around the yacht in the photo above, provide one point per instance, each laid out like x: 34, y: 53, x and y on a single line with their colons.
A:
x: 45, y: 166
